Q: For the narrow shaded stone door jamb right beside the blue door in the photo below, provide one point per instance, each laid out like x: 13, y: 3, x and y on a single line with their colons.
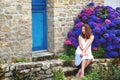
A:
x: 50, y: 24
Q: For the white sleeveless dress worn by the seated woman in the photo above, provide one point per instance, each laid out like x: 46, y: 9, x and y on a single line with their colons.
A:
x: 78, y: 51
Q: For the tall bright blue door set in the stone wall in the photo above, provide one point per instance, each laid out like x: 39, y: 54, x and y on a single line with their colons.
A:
x: 39, y: 25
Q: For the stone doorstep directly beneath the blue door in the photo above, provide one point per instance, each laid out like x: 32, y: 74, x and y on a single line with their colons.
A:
x: 42, y: 56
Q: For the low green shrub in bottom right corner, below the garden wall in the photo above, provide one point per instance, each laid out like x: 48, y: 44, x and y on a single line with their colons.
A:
x: 101, y: 73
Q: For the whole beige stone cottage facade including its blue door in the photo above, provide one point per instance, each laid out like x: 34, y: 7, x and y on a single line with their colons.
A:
x: 27, y: 26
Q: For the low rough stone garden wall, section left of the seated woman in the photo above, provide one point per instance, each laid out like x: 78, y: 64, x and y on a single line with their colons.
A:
x: 41, y: 70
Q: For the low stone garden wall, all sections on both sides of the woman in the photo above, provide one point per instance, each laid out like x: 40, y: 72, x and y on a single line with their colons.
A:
x: 44, y: 70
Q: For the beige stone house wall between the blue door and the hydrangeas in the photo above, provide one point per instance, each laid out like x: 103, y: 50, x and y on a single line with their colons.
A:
x: 60, y: 20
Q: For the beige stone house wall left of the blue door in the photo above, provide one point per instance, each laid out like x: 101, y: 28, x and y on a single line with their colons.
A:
x: 15, y: 29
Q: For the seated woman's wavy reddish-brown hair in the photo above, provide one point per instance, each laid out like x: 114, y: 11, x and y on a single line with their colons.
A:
x: 87, y: 31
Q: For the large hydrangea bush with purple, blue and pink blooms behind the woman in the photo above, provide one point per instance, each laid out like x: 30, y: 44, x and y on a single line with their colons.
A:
x: 105, y: 24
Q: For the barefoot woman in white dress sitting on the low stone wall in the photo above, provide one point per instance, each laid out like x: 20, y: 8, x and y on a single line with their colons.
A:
x: 83, y: 54
